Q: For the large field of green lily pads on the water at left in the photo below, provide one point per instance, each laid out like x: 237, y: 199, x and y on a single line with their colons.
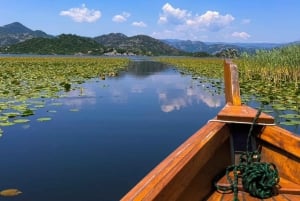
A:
x: 25, y: 82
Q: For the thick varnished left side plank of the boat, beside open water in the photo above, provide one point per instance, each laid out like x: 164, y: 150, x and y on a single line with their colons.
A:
x: 170, y: 178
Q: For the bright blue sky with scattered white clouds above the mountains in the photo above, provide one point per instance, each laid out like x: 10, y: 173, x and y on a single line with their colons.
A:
x: 203, y: 20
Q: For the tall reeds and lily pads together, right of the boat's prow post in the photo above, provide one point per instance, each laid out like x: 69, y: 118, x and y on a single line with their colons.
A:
x: 273, y: 77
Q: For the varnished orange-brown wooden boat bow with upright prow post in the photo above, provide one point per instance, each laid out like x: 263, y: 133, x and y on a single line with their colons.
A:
x: 194, y: 169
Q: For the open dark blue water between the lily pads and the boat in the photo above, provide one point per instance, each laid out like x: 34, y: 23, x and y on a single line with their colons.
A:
x: 124, y: 127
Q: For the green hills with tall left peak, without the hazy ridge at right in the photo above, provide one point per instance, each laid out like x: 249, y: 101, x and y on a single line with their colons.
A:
x: 16, y: 38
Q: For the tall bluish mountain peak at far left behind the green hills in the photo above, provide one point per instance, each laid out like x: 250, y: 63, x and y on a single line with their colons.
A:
x: 16, y: 32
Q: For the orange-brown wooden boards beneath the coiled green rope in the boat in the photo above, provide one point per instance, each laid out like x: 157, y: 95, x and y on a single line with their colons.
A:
x: 287, y: 191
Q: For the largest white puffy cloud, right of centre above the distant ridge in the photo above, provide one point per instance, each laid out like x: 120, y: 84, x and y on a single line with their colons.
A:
x: 186, y: 25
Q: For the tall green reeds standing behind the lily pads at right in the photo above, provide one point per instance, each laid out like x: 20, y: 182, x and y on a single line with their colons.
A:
x: 276, y: 67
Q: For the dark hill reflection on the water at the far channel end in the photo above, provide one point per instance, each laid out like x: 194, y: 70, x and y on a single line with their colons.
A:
x: 145, y: 68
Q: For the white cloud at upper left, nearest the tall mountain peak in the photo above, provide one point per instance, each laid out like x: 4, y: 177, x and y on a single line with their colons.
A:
x: 82, y: 14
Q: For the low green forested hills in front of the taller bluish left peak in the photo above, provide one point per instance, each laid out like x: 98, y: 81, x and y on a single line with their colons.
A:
x: 67, y: 44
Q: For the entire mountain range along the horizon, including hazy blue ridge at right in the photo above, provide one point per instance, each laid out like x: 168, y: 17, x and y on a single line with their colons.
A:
x: 17, y: 38
